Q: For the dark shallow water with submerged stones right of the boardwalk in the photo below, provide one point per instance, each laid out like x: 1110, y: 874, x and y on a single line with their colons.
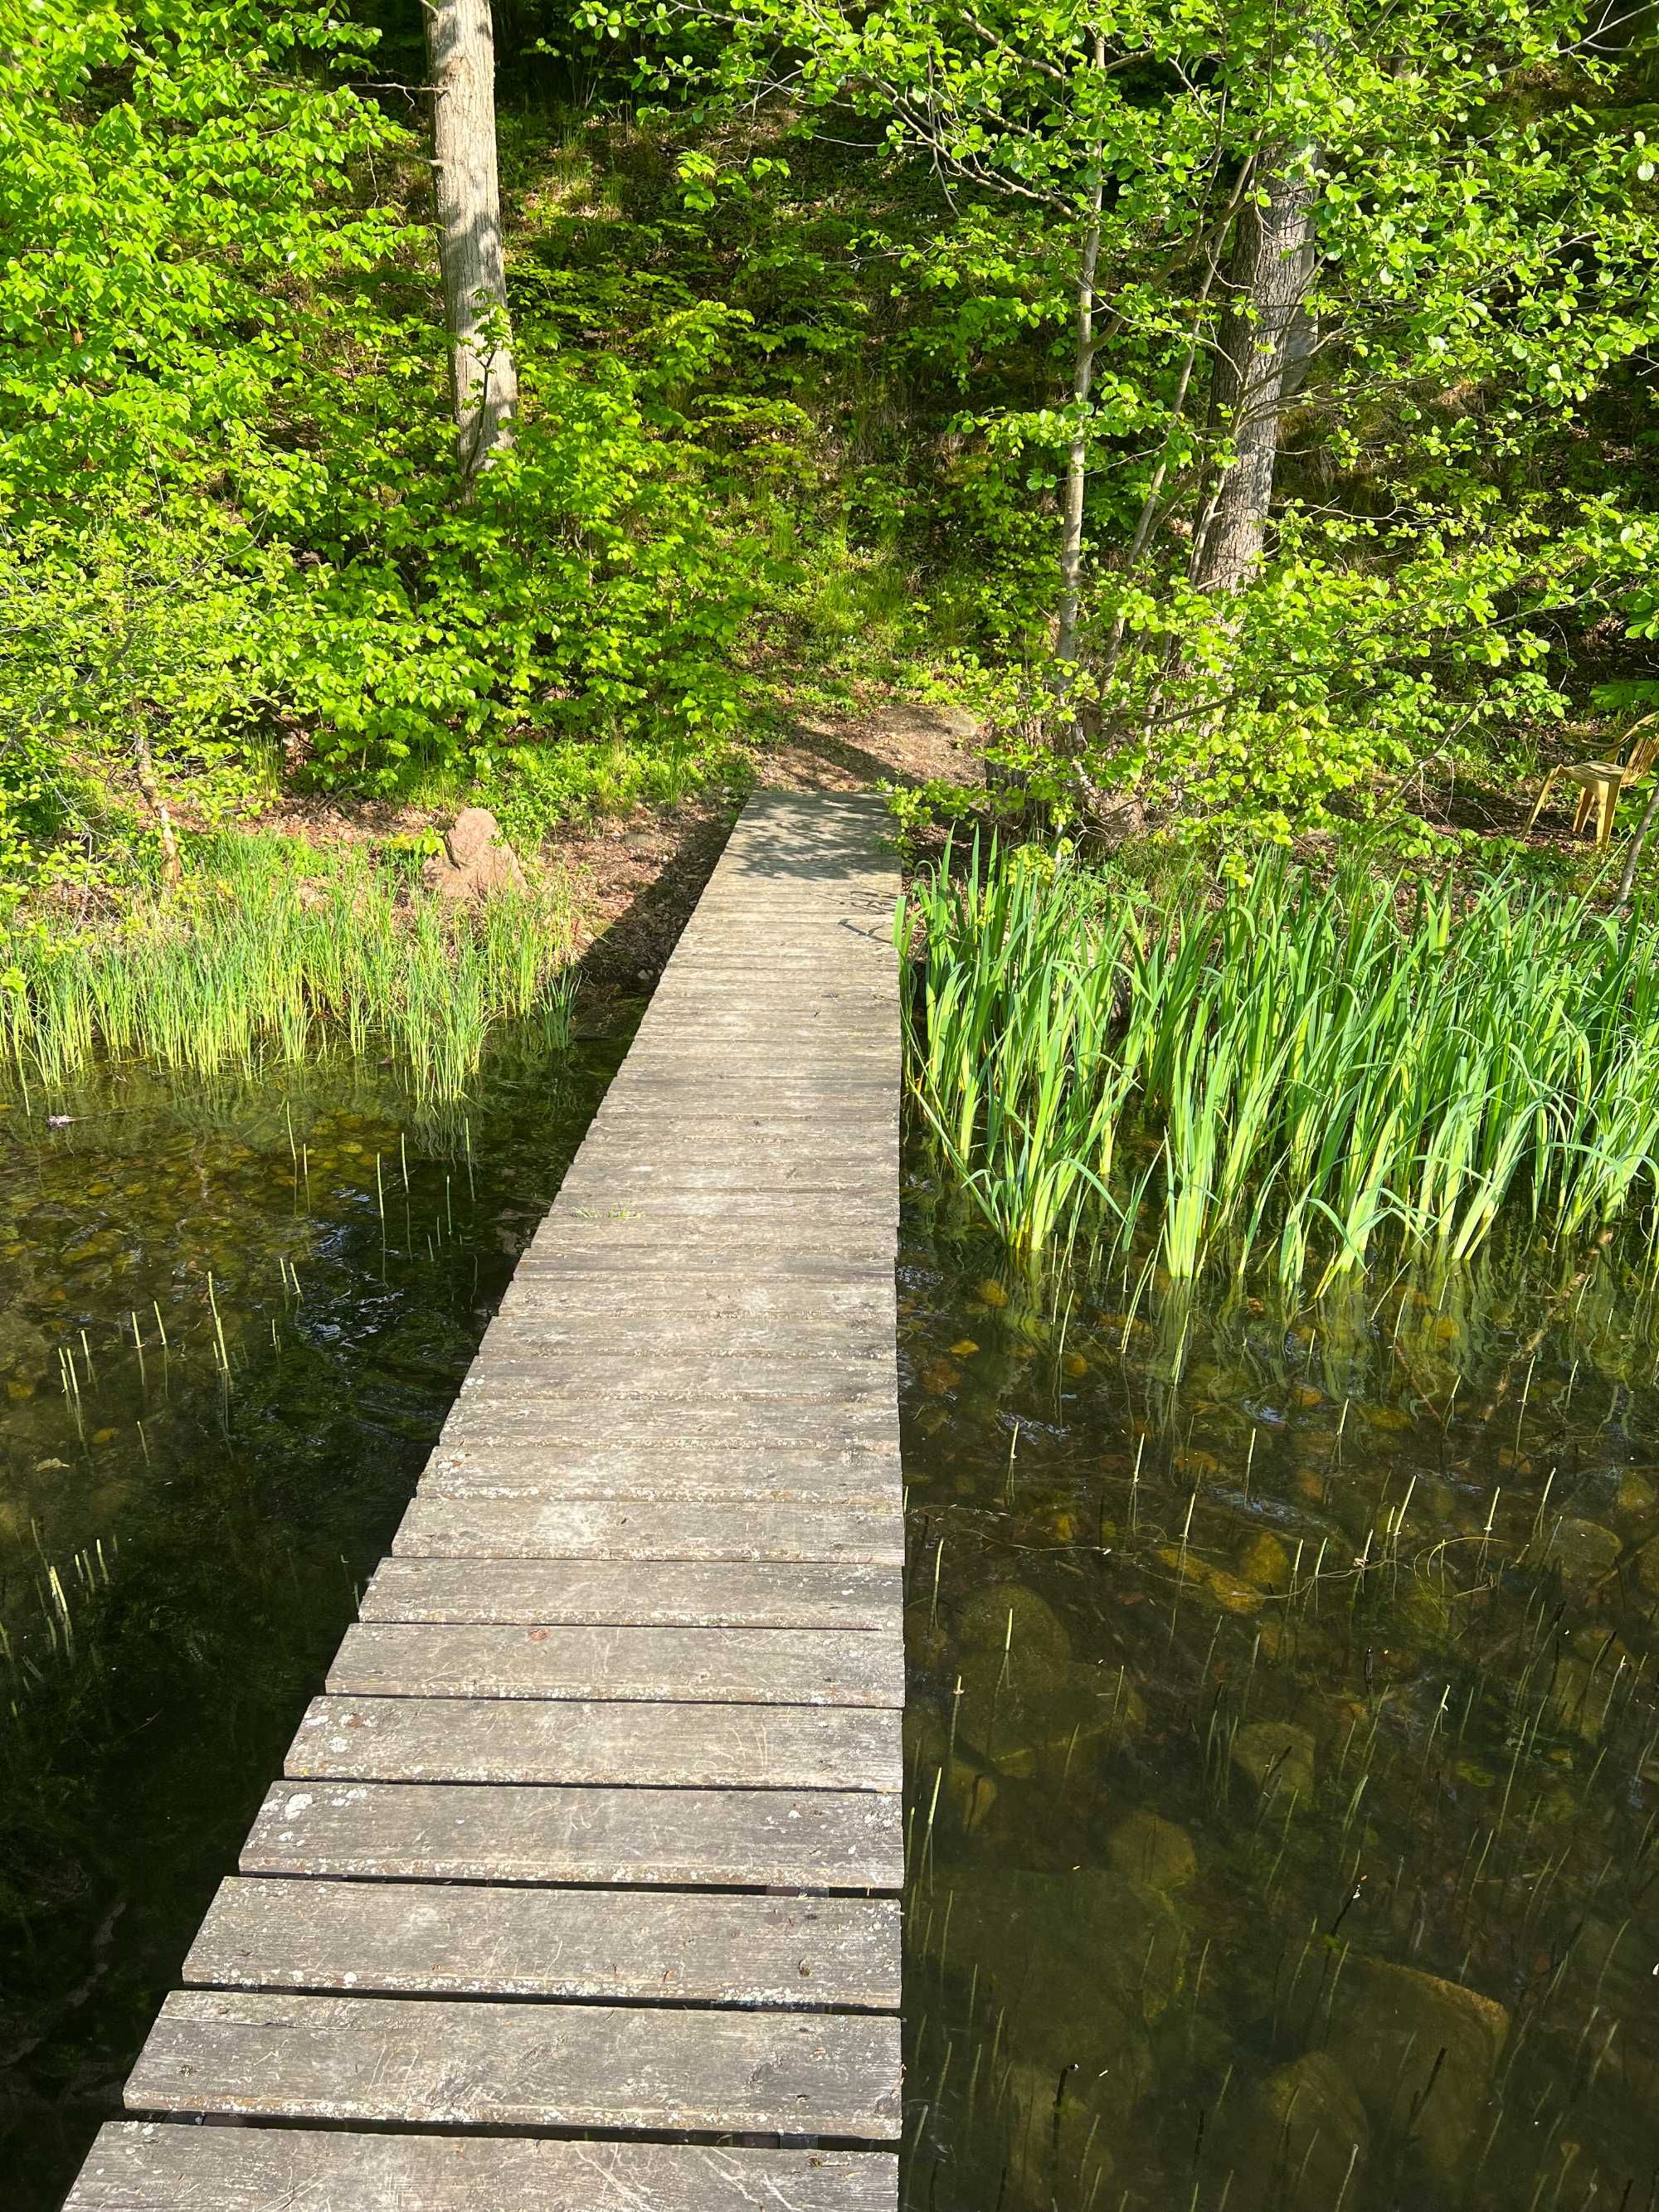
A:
x: 1282, y: 1760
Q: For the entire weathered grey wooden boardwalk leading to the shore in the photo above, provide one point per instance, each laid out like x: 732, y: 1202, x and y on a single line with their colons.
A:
x: 581, y: 1886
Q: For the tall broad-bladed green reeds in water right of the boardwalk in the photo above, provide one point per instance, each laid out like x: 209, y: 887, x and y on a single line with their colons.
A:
x: 1288, y: 1076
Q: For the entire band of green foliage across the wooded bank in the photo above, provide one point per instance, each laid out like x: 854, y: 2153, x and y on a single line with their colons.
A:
x: 797, y: 355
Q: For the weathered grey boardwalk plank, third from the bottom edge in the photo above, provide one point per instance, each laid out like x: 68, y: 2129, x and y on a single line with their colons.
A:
x: 620, y: 1945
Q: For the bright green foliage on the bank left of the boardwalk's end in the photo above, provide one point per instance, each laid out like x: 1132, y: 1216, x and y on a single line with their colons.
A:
x: 229, y: 519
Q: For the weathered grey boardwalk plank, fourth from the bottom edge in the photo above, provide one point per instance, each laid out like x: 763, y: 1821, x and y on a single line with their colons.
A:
x: 700, y: 1839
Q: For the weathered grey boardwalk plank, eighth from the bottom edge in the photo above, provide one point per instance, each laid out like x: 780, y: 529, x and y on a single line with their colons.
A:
x: 625, y: 1530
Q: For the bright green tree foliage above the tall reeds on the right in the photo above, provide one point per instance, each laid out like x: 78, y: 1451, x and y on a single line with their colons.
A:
x: 1483, y: 271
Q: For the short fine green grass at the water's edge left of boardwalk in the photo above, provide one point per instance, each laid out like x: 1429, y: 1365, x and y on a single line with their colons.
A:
x: 260, y: 961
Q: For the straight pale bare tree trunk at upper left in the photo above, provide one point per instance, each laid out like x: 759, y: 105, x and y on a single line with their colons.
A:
x: 483, y: 379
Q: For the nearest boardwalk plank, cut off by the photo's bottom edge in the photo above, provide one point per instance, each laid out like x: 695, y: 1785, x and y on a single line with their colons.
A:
x: 167, y: 2167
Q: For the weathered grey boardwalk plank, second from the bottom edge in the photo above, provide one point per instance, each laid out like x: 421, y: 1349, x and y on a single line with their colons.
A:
x: 435, y: 2063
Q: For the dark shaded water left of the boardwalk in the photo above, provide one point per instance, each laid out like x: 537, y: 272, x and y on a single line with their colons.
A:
x: 231, y: 1324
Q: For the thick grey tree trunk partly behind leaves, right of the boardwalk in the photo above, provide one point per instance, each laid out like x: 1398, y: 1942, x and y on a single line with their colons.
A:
x: 1264, y: 344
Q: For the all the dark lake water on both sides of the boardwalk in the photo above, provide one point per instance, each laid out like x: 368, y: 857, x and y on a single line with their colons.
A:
x: 1284, y: 1735
